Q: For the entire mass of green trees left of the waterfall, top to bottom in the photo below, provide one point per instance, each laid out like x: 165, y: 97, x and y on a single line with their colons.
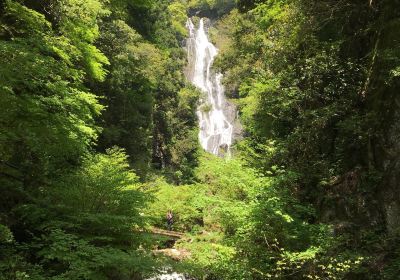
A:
x: 74, y: 73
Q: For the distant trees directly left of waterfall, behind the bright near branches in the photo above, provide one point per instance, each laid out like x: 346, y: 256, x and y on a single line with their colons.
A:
x: 144, y: 87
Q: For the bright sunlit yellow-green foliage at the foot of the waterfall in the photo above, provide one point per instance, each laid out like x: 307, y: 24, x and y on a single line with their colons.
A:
x: 244, y: 225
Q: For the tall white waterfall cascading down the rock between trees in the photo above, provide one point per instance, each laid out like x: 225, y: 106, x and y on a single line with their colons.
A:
x: 216, y: 125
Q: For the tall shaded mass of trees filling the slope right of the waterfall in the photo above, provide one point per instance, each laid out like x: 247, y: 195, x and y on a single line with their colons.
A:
x: 317, y: 83
